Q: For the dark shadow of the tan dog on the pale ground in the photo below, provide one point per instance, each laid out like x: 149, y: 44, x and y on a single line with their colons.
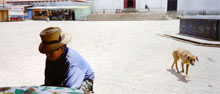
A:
x: 178, y: 75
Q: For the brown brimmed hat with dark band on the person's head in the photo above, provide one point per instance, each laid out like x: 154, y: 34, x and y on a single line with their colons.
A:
x: 52, y: 39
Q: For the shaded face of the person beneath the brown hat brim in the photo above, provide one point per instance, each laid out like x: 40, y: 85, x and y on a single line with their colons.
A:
x: 54, y: 55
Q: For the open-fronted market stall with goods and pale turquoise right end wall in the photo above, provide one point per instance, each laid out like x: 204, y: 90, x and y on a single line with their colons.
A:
x: 60, y: 12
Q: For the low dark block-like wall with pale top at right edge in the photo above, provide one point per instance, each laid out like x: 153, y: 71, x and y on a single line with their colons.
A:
x: 201, y: 26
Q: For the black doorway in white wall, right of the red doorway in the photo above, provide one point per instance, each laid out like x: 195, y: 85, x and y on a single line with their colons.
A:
x: 172, y: 5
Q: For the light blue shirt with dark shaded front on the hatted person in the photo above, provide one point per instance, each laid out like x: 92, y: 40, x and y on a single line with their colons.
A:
x: 68, y: 71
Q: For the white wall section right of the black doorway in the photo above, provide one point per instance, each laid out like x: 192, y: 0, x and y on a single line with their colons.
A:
x: 199, y: 7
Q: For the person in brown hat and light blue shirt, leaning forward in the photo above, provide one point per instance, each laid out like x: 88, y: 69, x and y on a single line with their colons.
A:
x: 65, y: 67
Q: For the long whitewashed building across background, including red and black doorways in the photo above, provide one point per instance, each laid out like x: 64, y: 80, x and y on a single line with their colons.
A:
x: 183, y: 7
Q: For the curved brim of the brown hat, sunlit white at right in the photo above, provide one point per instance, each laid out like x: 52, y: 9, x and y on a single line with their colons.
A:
x: 45, y: 48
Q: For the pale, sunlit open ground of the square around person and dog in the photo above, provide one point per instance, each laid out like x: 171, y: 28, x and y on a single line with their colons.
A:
x: 128, y: 57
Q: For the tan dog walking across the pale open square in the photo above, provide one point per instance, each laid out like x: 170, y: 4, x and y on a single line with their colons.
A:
x: 186, y: 57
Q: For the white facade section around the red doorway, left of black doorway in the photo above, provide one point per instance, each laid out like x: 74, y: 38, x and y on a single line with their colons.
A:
x: 109, y: 6
